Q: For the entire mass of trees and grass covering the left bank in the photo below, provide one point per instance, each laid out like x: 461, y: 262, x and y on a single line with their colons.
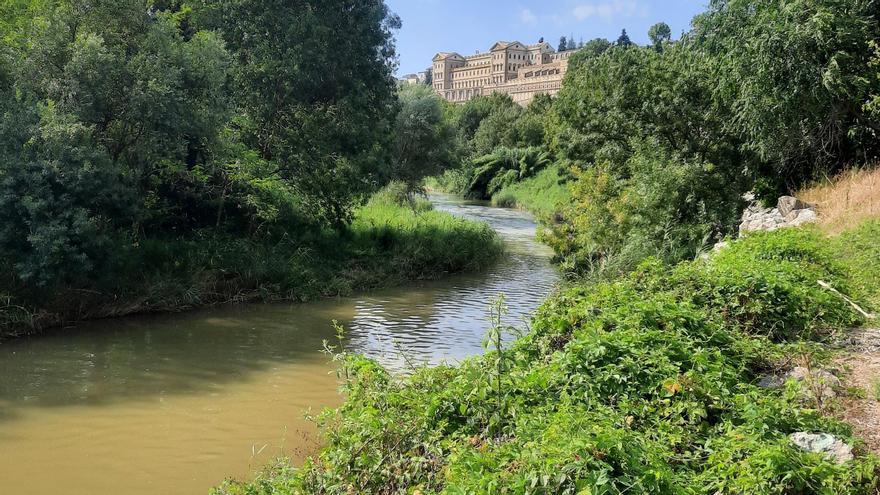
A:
x: 162, y: 155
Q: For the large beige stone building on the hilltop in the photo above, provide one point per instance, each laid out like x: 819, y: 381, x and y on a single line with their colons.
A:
x: 522, y: 71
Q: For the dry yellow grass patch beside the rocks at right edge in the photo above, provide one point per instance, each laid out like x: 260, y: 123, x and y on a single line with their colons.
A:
x: 846, y: 200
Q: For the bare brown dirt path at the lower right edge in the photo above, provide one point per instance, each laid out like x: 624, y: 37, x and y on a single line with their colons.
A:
x: 861, y: 378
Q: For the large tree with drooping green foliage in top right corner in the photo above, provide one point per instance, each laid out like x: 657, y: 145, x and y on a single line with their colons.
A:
x: 797, y: 85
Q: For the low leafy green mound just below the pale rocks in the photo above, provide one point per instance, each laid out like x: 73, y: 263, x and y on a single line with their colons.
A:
x: 767, y: 284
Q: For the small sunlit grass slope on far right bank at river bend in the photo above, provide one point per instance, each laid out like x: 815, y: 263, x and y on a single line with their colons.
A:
x: 541, y: 194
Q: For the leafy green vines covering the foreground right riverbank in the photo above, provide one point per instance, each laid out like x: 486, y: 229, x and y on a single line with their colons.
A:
x: 648, y: 383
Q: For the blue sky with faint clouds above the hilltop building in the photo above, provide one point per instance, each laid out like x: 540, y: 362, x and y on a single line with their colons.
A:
x: 463, y: 26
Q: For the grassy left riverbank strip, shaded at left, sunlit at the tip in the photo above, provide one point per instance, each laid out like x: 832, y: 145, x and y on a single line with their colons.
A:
x: 387, y: 244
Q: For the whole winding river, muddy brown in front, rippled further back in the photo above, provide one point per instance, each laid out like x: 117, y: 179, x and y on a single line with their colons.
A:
x: 172, y: 404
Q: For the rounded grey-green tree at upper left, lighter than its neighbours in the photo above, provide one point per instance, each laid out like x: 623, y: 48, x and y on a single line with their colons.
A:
x: 152, y: 100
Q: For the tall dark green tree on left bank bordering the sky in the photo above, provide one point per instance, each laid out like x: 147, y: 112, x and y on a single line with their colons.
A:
x: 325, y: 120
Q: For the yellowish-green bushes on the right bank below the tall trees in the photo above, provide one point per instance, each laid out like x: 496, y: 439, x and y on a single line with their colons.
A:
x: 666, y: 205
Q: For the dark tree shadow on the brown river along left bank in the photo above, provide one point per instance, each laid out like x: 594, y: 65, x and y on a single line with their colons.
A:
x: 104, y: 362
